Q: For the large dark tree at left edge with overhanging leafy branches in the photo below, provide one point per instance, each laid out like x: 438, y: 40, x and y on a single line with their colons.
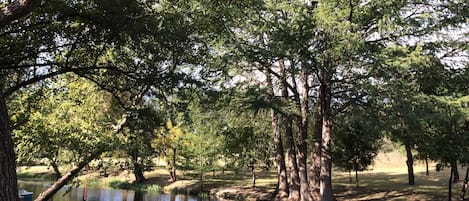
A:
x: 107, y: 42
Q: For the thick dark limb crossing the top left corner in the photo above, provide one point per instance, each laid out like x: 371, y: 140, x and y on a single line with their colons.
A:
x: 16, y: 10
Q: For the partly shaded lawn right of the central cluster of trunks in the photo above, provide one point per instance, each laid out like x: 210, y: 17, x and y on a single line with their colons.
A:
x: 388, y: 181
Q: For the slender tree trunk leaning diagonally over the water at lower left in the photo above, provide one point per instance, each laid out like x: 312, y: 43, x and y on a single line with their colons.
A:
x: 47, y: 194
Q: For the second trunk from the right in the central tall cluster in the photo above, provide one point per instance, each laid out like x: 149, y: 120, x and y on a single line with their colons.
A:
x: 315, y: 169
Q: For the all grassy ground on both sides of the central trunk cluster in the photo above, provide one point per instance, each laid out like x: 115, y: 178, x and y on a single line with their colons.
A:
x: 387, y: 180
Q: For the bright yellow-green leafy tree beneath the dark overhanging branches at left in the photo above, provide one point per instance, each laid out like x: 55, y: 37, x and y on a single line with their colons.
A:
x: 66, y: 123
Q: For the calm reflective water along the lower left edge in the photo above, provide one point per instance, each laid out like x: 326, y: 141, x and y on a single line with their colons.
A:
x: 94, y: 194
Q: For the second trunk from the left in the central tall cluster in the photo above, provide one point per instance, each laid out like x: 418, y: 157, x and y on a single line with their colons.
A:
x: 290, y: 140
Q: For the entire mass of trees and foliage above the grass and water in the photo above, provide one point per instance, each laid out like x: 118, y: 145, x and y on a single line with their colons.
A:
x: 210, y: 85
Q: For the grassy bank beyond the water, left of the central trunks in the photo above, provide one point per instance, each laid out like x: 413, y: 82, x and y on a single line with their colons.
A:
x: 223, y: 185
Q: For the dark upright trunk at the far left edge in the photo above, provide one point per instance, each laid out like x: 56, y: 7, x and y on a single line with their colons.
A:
x: 8, y: 178
